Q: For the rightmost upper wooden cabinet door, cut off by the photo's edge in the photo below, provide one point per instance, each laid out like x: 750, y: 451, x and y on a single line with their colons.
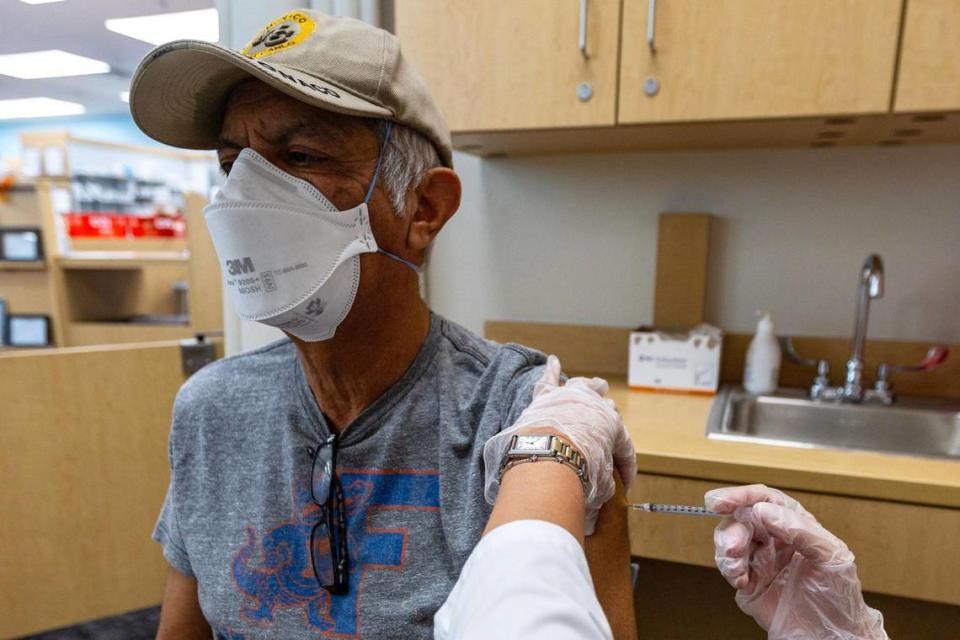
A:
x: 929, y: 77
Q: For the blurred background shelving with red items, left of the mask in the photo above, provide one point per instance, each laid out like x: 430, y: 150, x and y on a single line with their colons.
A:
x: 142, y: 268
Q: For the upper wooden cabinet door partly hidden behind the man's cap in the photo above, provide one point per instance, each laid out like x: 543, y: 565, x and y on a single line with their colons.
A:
x: 515, y: 64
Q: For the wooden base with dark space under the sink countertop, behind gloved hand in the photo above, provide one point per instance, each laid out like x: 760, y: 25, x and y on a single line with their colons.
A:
x: 907, y: 559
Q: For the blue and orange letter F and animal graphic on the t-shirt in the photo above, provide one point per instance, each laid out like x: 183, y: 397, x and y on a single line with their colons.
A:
x: 274, y: 571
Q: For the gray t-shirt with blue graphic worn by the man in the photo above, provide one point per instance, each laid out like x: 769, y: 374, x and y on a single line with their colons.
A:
x: 238, y: 513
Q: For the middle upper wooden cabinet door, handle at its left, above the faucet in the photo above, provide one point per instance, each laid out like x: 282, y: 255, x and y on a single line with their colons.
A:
x: 734, y: 59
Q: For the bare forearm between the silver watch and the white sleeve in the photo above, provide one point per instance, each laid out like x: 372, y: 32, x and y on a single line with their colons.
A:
x: 544, y: 490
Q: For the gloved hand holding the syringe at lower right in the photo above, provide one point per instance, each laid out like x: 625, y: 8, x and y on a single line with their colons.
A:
x: 795, y: 578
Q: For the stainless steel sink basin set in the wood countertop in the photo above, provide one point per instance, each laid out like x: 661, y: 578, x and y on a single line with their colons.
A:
x: 914, y: 426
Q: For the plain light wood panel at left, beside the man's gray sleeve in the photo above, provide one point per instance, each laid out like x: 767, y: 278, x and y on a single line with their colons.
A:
x: 83, y: 457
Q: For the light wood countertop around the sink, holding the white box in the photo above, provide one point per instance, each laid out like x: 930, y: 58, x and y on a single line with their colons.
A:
x: 668, y: 432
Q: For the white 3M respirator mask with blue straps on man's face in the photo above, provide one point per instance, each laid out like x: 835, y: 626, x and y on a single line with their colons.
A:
x: 290, y: 258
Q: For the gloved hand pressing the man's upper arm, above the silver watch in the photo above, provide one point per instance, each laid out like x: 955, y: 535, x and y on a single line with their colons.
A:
x: 579, y: 412
